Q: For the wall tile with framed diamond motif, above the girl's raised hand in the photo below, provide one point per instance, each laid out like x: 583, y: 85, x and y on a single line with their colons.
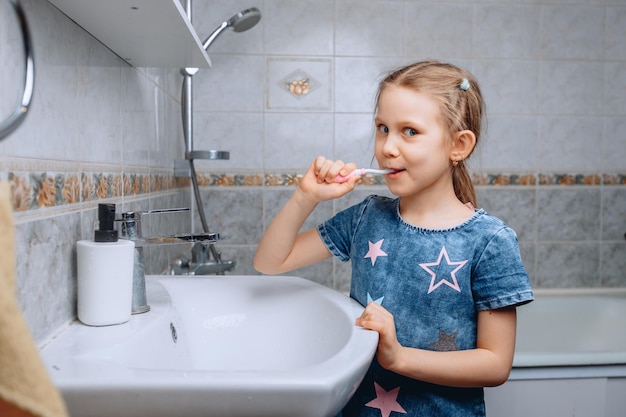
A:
x: 283, y: 74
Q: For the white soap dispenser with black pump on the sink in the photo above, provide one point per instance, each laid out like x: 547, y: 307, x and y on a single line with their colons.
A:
x: 105, y: 273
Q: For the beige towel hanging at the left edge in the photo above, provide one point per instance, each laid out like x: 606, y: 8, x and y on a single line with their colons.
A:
x: 25, y: 386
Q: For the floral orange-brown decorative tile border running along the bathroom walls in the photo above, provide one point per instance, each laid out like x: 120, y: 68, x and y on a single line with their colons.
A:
x: 41, y: 189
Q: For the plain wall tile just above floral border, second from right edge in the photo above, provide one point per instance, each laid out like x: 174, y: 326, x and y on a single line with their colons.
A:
x: 569, y: 143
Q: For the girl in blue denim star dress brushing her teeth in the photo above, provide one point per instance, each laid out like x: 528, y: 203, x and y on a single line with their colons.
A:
x: 440, y: 279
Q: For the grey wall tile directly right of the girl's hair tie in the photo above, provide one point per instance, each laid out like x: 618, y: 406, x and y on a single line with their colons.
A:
x: 508, y: 86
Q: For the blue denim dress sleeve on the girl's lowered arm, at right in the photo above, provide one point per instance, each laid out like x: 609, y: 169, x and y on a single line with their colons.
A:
x: 499, y: 279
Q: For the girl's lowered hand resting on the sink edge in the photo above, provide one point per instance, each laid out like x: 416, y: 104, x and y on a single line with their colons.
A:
x: 377, y: 318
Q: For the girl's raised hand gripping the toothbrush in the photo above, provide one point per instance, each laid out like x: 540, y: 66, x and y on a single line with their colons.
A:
x: 319, y: 181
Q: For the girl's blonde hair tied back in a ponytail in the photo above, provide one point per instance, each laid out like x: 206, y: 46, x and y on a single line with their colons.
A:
x: 462, y: 106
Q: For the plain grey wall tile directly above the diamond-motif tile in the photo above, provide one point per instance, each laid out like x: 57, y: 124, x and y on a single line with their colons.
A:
x: 303, y: 30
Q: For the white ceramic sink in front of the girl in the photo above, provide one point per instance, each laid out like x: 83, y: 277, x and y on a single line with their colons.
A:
x: 218, y: 346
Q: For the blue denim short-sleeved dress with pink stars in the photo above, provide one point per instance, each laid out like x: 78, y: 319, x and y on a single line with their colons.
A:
x: 434, y: 282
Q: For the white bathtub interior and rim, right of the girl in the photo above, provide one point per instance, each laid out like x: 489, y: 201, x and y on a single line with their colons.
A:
x: 565, y: 327
